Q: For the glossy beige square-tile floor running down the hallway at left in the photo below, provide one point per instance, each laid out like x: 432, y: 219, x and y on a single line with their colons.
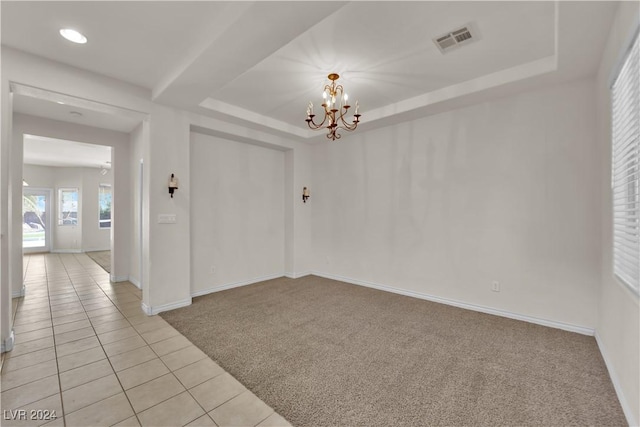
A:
x: 86, y: 352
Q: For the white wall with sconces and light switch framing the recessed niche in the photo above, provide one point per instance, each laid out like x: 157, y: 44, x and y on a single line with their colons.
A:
x: 169, y: 267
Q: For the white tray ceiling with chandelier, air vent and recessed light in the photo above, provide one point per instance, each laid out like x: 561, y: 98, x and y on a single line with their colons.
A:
x: 260, y: 63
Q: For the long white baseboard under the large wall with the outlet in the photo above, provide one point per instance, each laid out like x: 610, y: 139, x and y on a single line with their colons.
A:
x: 544, y: 322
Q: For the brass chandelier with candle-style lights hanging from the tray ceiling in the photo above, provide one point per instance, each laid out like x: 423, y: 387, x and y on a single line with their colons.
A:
x: 334, y: 114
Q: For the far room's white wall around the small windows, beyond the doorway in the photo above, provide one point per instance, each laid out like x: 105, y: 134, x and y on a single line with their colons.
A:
x: 87, y: 236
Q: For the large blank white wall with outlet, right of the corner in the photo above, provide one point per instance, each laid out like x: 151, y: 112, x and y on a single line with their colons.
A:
x: 444, y: 205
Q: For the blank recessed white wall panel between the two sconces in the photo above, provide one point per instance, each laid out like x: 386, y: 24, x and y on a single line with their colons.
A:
x: 237, y: 213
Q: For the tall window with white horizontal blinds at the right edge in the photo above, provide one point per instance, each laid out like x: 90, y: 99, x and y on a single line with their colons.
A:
x: 625, y: 106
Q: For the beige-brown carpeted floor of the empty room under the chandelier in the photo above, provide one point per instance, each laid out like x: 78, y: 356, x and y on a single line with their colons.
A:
x: 326, y: 353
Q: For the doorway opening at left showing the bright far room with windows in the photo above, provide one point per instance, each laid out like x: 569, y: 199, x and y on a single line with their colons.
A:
x: 67, y: 203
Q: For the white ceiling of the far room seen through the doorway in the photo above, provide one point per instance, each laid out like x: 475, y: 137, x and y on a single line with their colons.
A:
x: 42, y: 151
